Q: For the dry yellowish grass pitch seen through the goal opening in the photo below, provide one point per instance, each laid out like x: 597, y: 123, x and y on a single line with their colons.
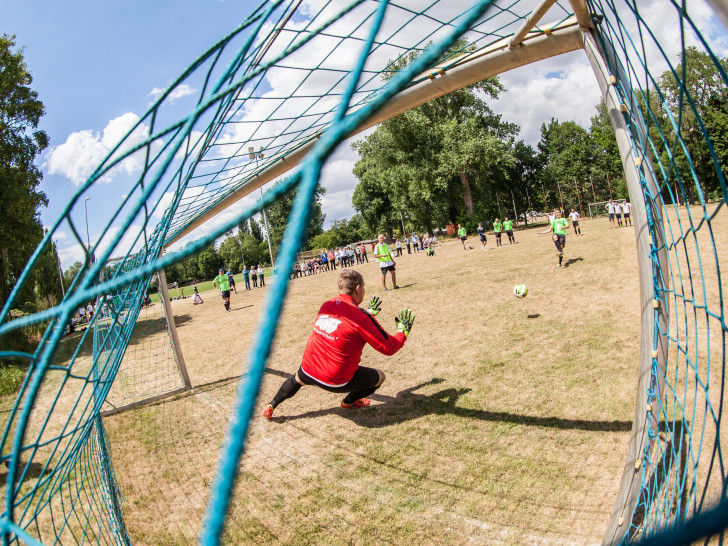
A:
x: 501, y: 420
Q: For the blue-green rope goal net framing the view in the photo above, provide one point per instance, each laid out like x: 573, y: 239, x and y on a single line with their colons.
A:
x: 334, y: 59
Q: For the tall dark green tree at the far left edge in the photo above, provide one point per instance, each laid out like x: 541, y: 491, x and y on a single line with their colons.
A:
x: 20, y: 143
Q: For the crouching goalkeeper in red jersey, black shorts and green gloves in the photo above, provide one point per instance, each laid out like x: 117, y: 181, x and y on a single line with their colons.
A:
x: 332, y: 354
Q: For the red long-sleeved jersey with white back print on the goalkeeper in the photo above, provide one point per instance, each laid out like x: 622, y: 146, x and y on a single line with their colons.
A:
x: 339, y: 334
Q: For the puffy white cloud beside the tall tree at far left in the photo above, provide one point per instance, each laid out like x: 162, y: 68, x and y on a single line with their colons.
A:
x: 84, y: 150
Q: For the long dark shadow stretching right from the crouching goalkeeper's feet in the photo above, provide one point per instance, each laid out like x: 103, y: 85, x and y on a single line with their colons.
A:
x: 407, y: 405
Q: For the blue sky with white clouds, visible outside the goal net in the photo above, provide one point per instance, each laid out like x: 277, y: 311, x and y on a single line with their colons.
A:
x: 97, y: 66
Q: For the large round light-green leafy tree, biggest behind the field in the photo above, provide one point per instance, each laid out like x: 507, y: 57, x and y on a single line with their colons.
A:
x: 437, y: 161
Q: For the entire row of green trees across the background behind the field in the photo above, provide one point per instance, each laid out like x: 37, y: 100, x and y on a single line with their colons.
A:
x: 452, y: 160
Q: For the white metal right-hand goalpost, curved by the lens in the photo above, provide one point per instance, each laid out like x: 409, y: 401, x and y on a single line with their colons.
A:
x: 653, y: 269
